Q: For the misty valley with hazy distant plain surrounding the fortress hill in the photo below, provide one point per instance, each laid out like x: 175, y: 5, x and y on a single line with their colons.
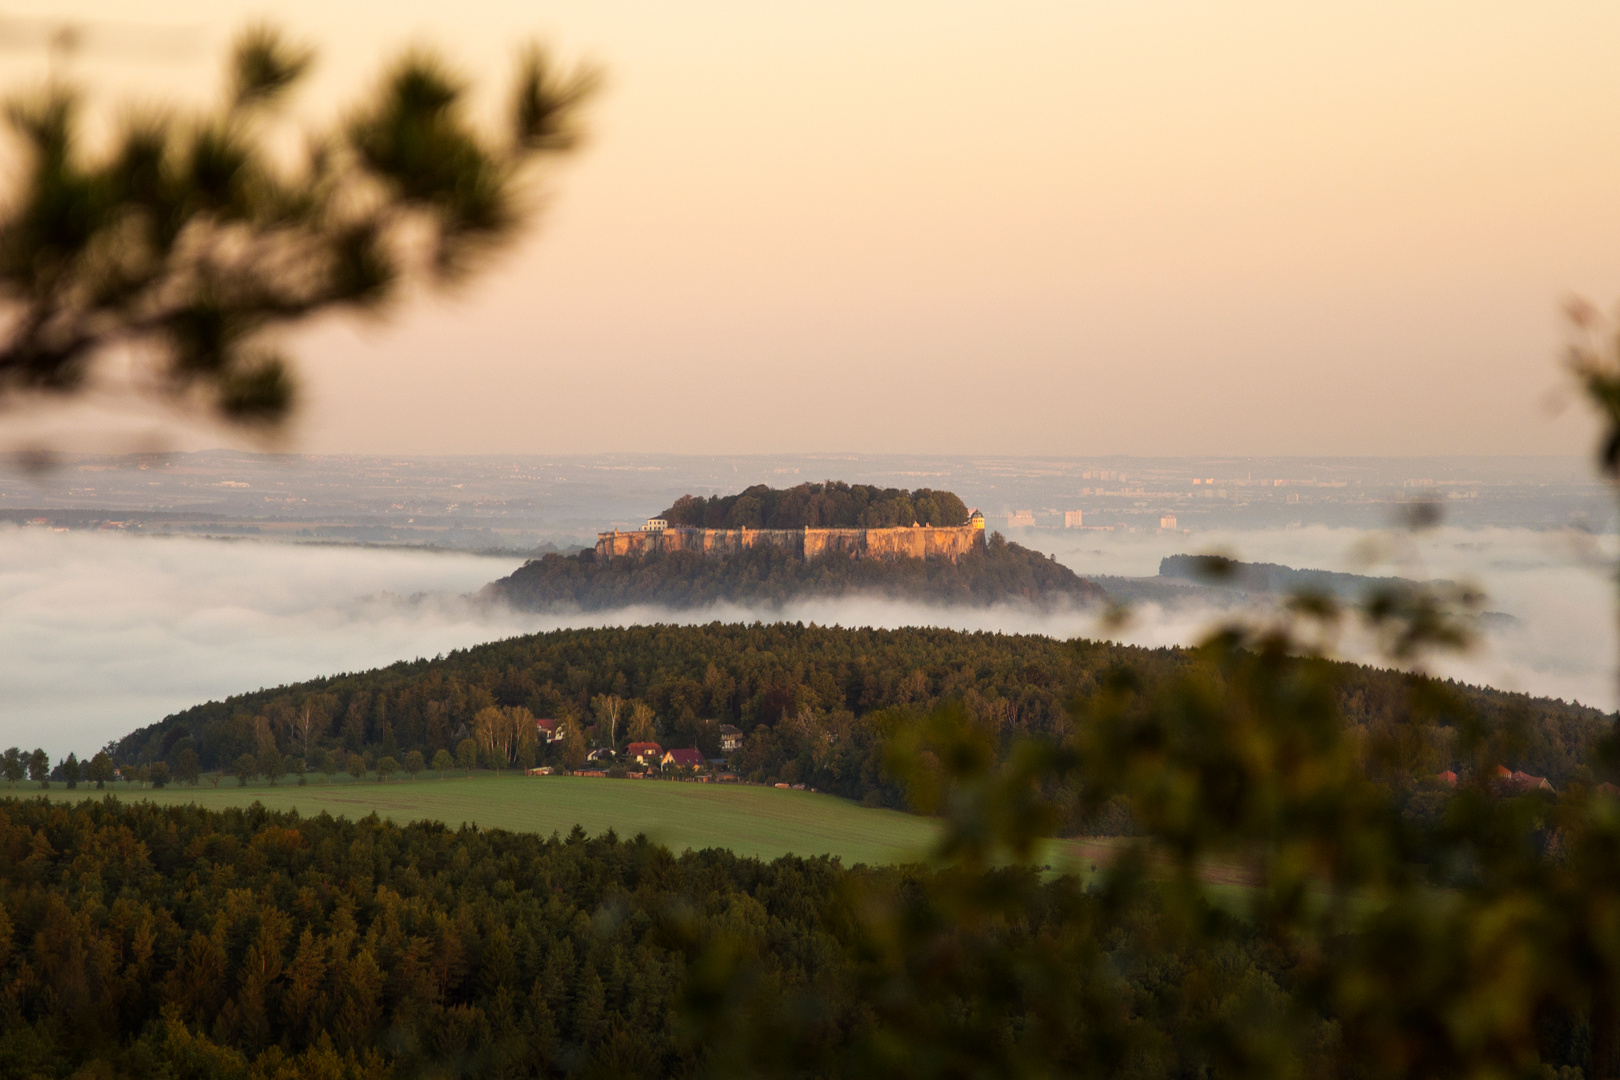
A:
x: 106, y: 629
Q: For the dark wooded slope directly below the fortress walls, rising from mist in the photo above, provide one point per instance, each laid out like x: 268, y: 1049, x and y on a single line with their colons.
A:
x: 770, y: 577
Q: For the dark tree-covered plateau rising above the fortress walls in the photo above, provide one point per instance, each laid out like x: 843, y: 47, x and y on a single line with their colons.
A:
x: 833, y: 504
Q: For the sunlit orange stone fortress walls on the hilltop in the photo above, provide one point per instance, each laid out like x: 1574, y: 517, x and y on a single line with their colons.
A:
x: 918, y: 542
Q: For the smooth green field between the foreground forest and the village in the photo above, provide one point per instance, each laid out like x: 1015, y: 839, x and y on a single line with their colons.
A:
x: 759, y: 822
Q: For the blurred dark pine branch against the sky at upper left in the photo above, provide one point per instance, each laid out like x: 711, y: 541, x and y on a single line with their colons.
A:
x: 194, y: 242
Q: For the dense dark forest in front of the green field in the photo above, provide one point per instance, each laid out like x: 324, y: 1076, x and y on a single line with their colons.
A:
x: 244, y: 945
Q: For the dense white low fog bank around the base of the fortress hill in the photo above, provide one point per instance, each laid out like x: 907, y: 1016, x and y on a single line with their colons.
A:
x: 101, y: 634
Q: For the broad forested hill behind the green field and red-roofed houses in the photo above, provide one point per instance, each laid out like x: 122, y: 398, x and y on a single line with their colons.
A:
x: 817, y: 705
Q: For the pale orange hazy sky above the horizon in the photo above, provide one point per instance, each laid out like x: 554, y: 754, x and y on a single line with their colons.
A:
x: 1041, y: 229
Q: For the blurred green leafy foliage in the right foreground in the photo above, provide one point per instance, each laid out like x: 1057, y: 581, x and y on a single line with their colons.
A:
x: 1415, y: 921
